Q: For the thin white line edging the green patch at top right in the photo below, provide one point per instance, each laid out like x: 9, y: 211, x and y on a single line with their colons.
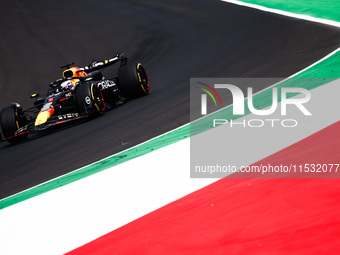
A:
x: 285, y: 13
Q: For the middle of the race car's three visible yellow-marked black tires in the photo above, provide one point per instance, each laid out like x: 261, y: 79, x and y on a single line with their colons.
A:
x: 90, y: 100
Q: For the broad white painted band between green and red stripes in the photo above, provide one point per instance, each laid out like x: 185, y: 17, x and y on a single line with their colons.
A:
x: 73, y: 215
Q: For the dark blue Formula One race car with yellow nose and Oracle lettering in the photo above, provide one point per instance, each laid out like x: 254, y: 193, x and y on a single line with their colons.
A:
x: 82, y: 93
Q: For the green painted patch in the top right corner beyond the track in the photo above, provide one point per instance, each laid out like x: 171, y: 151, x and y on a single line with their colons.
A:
x: 324, y: 9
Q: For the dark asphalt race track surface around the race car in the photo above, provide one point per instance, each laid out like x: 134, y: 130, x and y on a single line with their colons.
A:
x: 175, y: 40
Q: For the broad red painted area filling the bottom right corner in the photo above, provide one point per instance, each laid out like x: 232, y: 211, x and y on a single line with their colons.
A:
x: 244, y: 216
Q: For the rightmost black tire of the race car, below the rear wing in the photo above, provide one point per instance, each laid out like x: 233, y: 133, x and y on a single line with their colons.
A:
x: 133, y: 81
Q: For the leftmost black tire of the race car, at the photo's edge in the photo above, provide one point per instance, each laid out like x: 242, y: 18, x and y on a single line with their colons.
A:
x: 12, y: 119
